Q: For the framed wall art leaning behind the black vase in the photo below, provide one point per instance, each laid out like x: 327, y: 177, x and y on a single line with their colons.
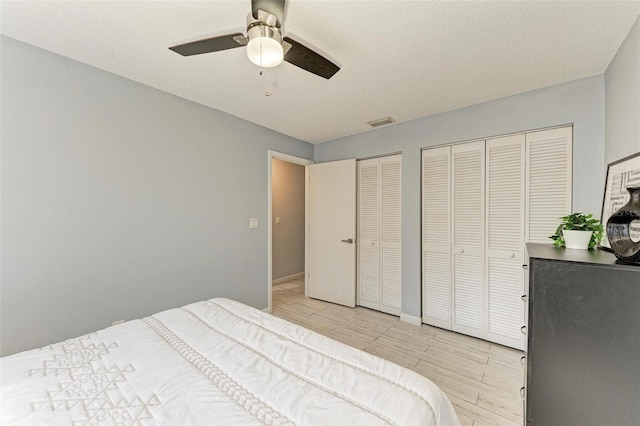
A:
x: 620, y: 175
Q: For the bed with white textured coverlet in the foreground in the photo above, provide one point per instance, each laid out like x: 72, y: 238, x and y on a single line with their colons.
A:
x: 213, y: 362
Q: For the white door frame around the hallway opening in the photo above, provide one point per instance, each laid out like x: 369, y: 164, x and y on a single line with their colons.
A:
x: 295, y: 160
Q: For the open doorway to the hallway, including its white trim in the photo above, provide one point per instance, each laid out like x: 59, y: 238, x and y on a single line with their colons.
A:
x: 286, y: 219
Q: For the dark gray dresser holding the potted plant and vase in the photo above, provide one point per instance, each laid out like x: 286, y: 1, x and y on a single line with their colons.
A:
x: 583, y: 339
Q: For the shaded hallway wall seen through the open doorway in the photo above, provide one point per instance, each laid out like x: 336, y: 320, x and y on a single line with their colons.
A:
x: 287, y: 198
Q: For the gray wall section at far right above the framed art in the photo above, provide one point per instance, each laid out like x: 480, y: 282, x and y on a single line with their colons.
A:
x: 622, y: 97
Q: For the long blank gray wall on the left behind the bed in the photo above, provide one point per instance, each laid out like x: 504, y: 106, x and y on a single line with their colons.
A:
x: 119, y: 200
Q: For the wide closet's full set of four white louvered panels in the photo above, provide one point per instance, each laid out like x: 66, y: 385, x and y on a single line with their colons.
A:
x: 481, y: 201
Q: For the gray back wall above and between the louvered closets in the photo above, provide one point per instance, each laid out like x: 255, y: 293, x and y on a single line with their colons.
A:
x: 579, y: 102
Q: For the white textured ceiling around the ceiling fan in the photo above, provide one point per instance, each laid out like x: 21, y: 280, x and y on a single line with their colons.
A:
x: 406, y: 59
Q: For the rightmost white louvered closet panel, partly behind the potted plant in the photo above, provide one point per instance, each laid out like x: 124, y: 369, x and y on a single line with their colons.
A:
x: 549, y: 172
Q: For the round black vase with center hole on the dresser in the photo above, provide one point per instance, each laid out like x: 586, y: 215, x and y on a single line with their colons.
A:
x: 619, y: 229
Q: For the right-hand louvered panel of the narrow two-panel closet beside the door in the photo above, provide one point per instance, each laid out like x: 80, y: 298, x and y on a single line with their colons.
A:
x: 390, y: 224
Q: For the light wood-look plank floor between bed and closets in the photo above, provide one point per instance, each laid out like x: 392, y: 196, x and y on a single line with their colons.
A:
x: 481, y: 379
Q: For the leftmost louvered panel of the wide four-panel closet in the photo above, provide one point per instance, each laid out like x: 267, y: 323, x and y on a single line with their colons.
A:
x: 436, y: 237
